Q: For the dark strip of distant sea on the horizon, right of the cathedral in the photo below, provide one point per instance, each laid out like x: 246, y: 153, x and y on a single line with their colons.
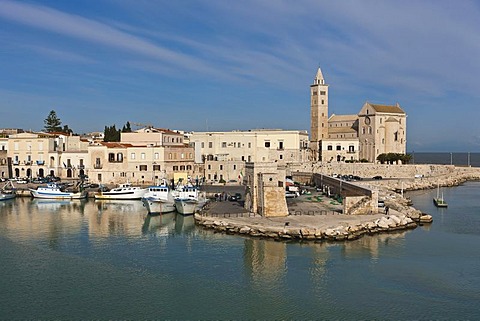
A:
x: 458, y: 159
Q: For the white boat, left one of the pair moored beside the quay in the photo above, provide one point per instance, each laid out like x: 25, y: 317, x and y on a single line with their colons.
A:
x: 158, y: 200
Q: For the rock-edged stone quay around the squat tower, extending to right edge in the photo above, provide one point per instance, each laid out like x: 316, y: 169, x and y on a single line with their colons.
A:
x: 316, y: 217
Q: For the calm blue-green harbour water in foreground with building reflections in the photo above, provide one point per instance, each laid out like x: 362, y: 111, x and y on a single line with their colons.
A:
x: 110, y: 260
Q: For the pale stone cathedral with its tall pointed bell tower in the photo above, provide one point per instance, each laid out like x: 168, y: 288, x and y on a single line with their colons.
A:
x: 377, y: 129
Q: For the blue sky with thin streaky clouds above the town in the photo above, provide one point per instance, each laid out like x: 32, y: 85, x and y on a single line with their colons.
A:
x: 226, y: 65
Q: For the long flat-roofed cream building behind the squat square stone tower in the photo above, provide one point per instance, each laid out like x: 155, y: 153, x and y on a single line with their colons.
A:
x: 225, y: 153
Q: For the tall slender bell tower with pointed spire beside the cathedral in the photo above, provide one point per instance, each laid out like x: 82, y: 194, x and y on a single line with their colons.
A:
x: 318, y: 114
